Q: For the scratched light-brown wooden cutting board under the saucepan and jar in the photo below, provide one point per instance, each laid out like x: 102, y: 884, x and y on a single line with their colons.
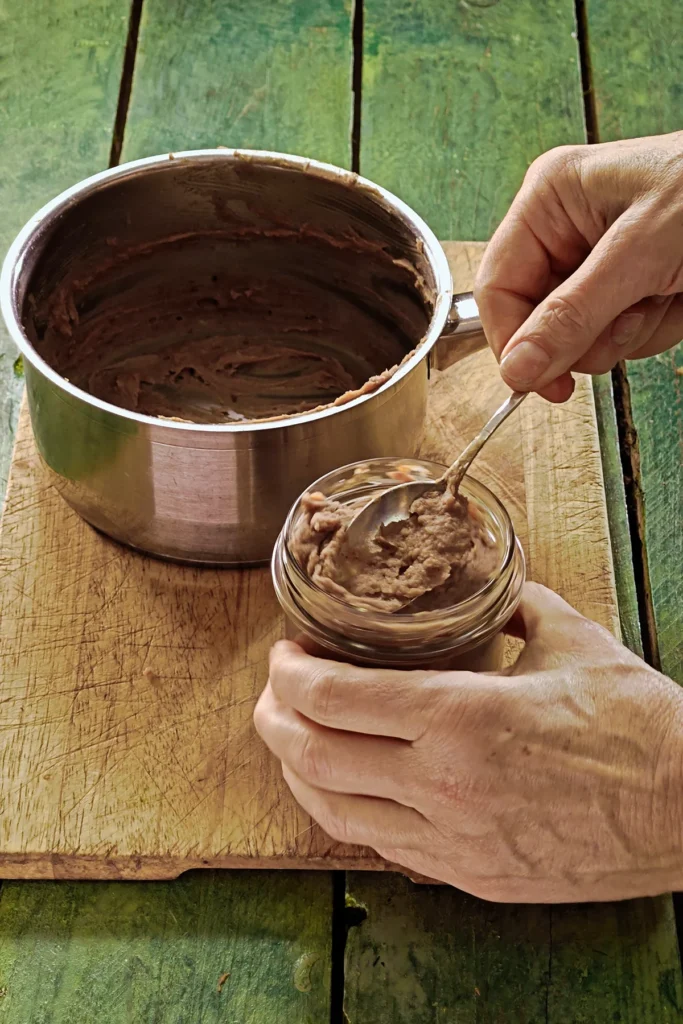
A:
x: 129, y: 685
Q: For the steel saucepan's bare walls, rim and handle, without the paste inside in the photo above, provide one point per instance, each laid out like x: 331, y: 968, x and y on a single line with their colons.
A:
x: 204, y: 493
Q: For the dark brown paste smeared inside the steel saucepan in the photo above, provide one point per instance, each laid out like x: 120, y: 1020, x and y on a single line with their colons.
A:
x: 230, y: 327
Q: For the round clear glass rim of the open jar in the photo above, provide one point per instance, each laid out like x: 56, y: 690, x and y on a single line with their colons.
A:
x: 469, y: 484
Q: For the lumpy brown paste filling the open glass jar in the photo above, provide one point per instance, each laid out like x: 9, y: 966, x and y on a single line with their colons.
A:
x: 437, y: 559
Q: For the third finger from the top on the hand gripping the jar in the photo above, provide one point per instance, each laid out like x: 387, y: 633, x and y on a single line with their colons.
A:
x: 362, y: 821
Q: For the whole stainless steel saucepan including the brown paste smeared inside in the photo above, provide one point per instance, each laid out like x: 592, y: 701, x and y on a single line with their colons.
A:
x: 205, y: 333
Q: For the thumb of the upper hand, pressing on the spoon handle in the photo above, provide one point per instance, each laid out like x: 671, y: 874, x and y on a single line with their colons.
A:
x: 566, y: 325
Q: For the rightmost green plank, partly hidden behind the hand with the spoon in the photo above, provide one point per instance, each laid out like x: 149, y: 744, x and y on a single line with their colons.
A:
x: 636, y: 65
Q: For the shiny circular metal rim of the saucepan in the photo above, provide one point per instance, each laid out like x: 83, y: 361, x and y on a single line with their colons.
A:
x: 23, y: 243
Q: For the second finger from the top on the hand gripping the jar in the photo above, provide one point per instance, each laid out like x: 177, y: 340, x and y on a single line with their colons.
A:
x: 340, y: 762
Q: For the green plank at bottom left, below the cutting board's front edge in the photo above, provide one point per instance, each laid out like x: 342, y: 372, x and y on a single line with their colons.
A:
x: 208, y: 948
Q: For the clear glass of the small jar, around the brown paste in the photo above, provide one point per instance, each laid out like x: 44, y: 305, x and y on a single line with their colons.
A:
x: 465, y: 636
